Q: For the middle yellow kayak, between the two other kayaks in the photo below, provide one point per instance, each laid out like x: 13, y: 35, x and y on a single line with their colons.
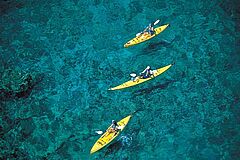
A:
x: 131, y: 83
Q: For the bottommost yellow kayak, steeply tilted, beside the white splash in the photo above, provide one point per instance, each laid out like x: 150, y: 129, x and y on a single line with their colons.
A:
x: 107, y: 137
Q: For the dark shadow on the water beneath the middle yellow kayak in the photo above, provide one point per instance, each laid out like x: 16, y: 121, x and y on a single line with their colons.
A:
x: 151, y: 89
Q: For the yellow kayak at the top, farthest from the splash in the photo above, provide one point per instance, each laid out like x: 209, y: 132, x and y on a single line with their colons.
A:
x: 145, y: 36
